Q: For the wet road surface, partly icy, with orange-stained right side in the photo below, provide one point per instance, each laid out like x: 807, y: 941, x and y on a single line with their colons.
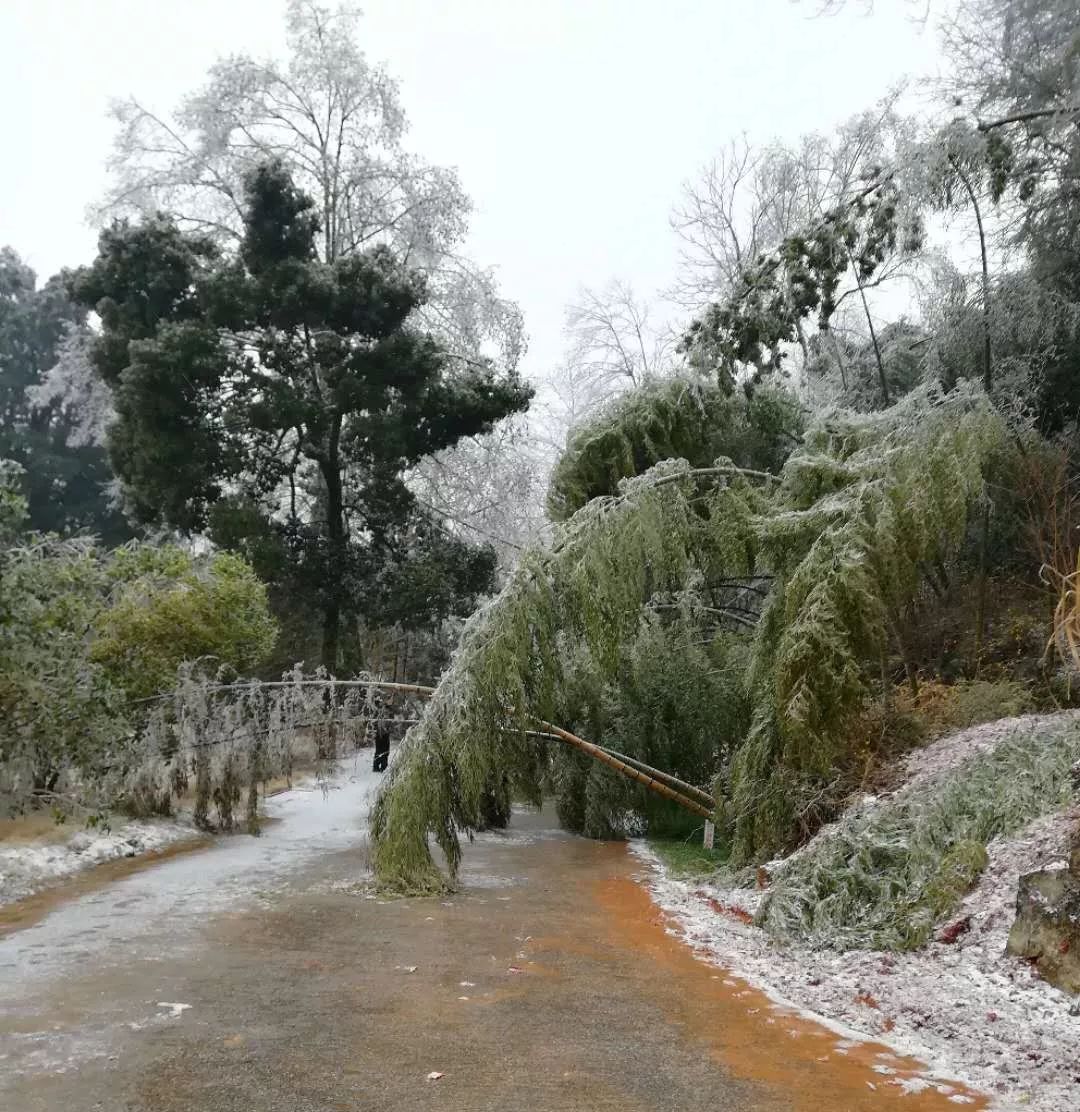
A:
x: 257, y: 976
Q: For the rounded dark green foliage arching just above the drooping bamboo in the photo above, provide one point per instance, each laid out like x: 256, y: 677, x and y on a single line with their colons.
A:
x: 678, y: 419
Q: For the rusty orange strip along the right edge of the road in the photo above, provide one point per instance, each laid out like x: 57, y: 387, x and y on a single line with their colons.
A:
x: 758, y: 1040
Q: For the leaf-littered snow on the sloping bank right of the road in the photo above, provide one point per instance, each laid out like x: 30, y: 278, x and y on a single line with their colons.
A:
x: 967, y: 1009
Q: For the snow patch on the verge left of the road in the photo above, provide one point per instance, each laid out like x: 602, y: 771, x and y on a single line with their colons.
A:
x: 31, y: 867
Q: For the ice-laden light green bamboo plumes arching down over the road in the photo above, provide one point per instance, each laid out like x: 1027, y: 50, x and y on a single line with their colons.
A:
x: 857, y: 512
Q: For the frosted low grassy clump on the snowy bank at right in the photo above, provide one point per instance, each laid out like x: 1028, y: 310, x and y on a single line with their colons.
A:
x: 886, y: 876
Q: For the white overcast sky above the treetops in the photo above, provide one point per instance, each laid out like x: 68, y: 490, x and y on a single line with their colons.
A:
x: 573, y: 123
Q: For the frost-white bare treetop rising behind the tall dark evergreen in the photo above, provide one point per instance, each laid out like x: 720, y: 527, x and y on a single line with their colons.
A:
x: 336, y: 122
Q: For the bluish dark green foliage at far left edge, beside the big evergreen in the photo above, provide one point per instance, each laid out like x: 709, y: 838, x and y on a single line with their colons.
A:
x: 65, y: 485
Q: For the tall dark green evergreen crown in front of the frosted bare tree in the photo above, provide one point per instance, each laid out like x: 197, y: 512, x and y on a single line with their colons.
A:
x: 279, y: 401
